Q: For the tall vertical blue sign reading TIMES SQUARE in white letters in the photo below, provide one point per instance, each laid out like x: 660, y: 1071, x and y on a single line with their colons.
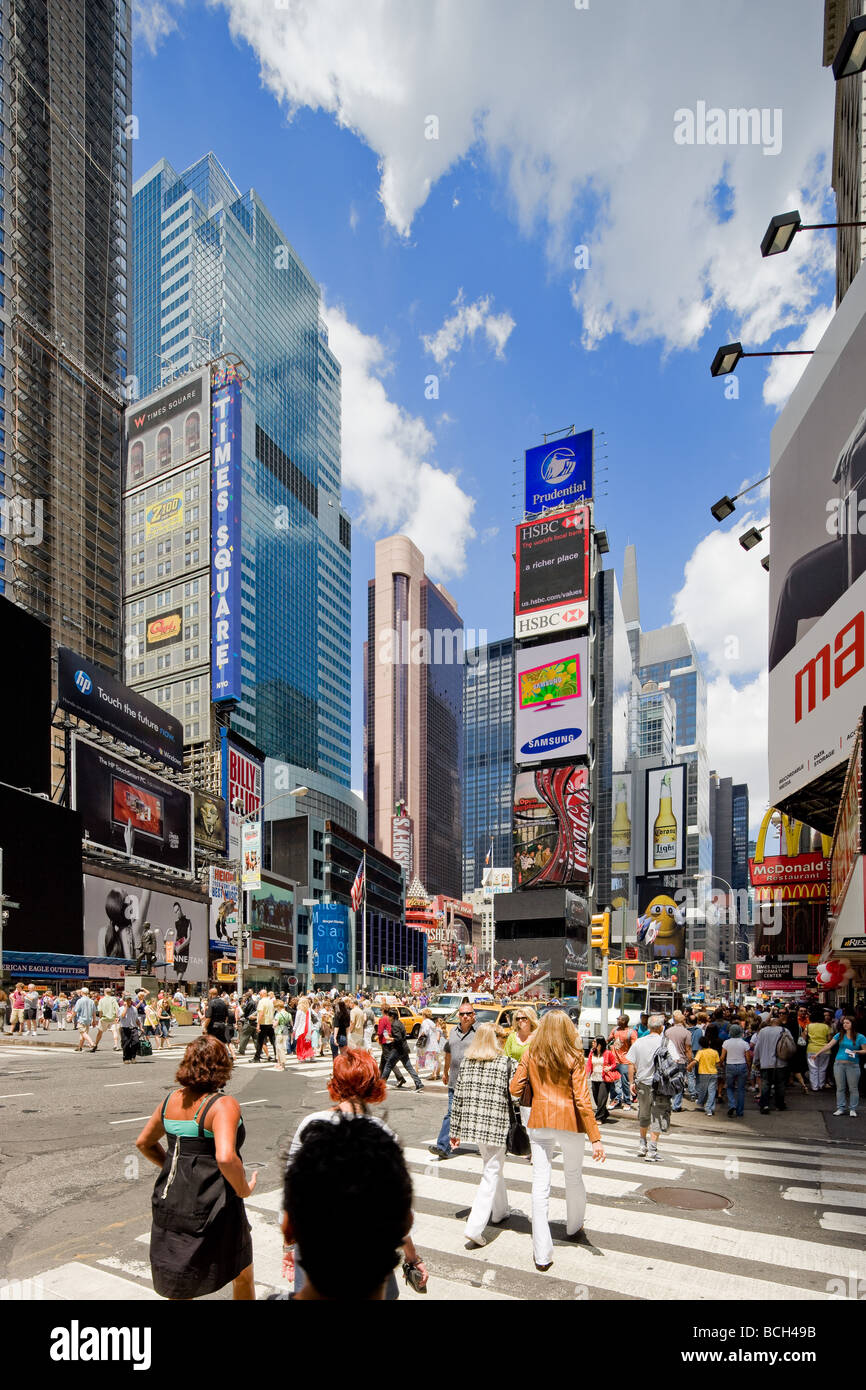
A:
x: 226, y: 544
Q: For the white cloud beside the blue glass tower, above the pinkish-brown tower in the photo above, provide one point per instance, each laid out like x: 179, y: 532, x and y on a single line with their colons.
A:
x: 387, y: 452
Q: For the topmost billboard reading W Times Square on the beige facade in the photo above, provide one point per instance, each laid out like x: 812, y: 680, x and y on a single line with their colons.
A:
x: 168, y: 429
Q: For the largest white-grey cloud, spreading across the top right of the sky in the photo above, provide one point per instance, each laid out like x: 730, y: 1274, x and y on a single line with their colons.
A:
x: 673, y: 230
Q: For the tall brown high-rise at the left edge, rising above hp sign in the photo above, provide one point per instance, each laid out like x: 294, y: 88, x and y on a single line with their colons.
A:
x: 65, y: 205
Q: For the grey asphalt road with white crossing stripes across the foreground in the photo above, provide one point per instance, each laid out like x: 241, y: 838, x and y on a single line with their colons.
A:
x: 76, y: 1193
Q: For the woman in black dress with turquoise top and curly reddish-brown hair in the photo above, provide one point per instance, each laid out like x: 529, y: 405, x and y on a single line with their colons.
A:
x: 201, y: 1239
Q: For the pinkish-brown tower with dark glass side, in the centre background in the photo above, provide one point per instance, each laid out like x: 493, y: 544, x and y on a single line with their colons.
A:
x: 414, y: 718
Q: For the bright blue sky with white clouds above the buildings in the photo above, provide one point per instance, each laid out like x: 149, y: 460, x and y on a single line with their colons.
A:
x: 528, y: 218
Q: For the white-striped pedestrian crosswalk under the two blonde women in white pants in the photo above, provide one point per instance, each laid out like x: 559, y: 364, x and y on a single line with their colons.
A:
x: 639, y: 1249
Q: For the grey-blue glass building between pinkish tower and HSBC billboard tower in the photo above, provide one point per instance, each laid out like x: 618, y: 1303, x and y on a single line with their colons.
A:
x: 489, y: 754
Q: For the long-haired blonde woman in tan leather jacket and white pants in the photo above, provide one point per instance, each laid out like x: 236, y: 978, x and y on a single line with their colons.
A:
x: 561, y: 1115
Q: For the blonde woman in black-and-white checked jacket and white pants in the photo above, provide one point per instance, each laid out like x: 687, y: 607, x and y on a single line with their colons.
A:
x: 482, y: 1114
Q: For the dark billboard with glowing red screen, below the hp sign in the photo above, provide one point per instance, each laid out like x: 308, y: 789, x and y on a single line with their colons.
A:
x: 129, y: 810
